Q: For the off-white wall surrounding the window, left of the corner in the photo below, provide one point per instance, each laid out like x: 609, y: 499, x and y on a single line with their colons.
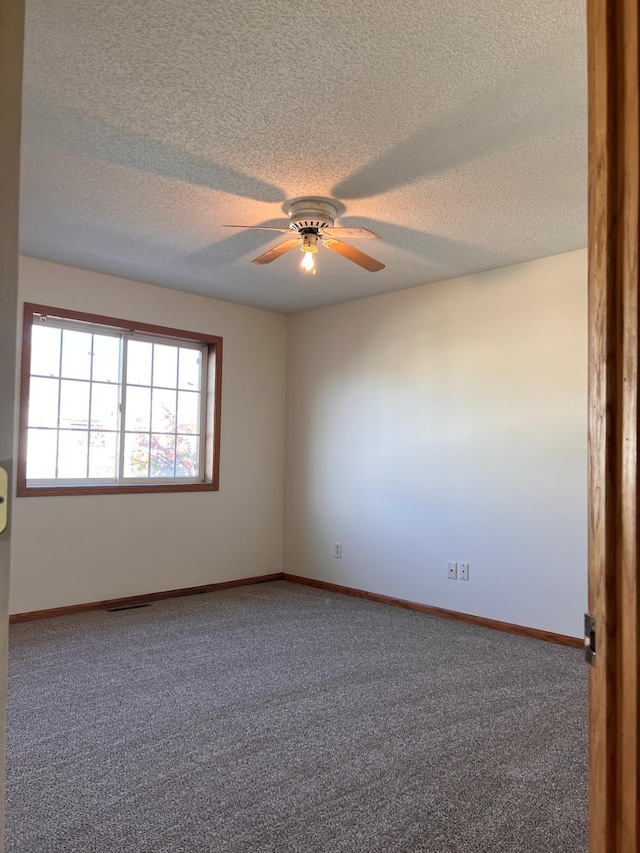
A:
x: 69, y: 550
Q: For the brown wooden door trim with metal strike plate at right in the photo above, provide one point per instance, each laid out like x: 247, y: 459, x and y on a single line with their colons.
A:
x: 612, y: 27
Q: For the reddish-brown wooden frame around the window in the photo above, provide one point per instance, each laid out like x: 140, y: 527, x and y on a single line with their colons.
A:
x: 212, y: 399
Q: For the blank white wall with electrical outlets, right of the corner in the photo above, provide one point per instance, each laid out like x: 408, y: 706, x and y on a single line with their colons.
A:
x: 446, y: 422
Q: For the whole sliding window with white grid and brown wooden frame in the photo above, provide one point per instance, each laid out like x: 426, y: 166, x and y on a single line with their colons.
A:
x: 115, y: 406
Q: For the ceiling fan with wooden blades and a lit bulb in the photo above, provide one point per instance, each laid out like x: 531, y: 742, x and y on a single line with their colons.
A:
x: 311, y: 220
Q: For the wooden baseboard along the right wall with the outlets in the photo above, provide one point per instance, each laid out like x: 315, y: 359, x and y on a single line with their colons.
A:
x: 507, y: 627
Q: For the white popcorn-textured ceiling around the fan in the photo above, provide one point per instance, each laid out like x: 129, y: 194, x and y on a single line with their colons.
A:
x: 453, y: 128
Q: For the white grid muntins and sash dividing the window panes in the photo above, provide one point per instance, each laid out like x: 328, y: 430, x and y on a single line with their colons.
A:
x: 124, y: 335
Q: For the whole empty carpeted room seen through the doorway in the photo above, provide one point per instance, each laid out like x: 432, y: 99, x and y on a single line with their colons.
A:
x: 299, y: 520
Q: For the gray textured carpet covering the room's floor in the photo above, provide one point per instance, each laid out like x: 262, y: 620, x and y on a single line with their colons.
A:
x: 282, y: 718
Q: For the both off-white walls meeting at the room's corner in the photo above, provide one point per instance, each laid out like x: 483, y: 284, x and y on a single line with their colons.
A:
x: 443, y: 422
